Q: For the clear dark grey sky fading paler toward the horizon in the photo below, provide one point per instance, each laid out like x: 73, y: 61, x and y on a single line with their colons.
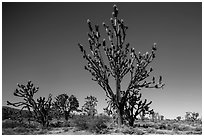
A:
x: 39, y: 43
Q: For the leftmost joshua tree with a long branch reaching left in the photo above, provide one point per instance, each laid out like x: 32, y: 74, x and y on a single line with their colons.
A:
x: 40, y: 108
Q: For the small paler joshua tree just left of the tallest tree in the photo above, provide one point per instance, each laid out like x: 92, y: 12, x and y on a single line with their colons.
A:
x: 90, y: 105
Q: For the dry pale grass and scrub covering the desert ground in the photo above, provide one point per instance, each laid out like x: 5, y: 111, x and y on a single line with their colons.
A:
x: 83, y: 125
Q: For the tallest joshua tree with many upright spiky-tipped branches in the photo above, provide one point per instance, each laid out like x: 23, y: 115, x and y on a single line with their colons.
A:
x: 122, y: 60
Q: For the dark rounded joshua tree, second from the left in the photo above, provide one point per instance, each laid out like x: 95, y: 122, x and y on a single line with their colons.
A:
x: 65, y: 104
